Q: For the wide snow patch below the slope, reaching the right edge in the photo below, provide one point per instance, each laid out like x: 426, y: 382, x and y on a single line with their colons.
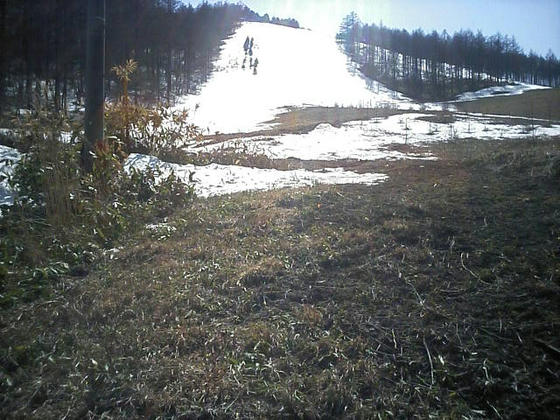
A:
x: 369, y: 140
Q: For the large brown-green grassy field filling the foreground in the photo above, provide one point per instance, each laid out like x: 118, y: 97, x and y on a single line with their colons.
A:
x: 436, y: 294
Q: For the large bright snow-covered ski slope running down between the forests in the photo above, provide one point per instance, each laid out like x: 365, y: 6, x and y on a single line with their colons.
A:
x: 297, y: 67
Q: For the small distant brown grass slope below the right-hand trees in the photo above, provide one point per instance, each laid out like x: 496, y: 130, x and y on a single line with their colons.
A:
x: 543, y: 104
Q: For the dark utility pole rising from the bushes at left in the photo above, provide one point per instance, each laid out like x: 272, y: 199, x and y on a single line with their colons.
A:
x: 95, y: 67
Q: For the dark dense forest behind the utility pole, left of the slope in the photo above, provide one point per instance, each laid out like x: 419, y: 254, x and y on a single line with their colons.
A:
x: 44, y: 47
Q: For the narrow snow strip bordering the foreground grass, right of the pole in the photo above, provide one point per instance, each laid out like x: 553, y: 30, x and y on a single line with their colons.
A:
x: 214, y: 179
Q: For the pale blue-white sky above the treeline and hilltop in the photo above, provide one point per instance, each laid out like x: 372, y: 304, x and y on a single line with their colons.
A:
x: 535, y: 24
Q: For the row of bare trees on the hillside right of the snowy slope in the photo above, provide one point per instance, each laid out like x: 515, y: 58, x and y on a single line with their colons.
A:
x: 434, y: 65
